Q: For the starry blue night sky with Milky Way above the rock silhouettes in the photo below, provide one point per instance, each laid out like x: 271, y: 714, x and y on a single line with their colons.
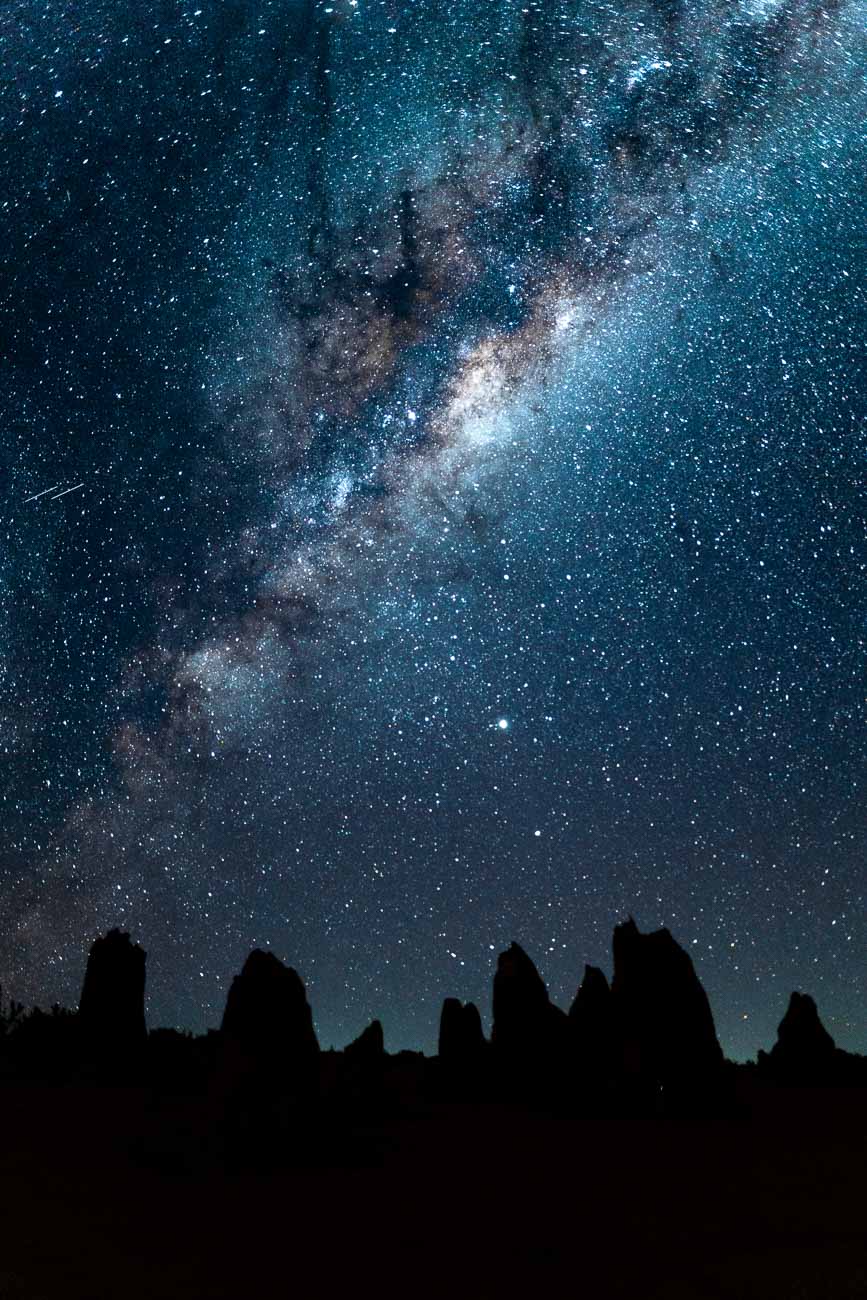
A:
x: 432, y: 497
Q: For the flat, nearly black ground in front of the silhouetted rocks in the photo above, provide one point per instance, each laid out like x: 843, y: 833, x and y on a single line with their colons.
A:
x: 109, y: 1194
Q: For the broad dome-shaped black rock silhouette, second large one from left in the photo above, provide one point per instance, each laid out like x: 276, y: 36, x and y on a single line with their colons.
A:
x: 268, y: 1024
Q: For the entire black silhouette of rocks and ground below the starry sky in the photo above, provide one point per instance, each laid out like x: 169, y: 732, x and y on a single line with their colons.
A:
x: 609, y: 1152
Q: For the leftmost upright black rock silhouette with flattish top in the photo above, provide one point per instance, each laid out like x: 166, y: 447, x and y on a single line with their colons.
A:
x: 111, y: 1012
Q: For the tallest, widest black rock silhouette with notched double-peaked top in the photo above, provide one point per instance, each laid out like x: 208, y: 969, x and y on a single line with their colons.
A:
x: 662, y: 1016
